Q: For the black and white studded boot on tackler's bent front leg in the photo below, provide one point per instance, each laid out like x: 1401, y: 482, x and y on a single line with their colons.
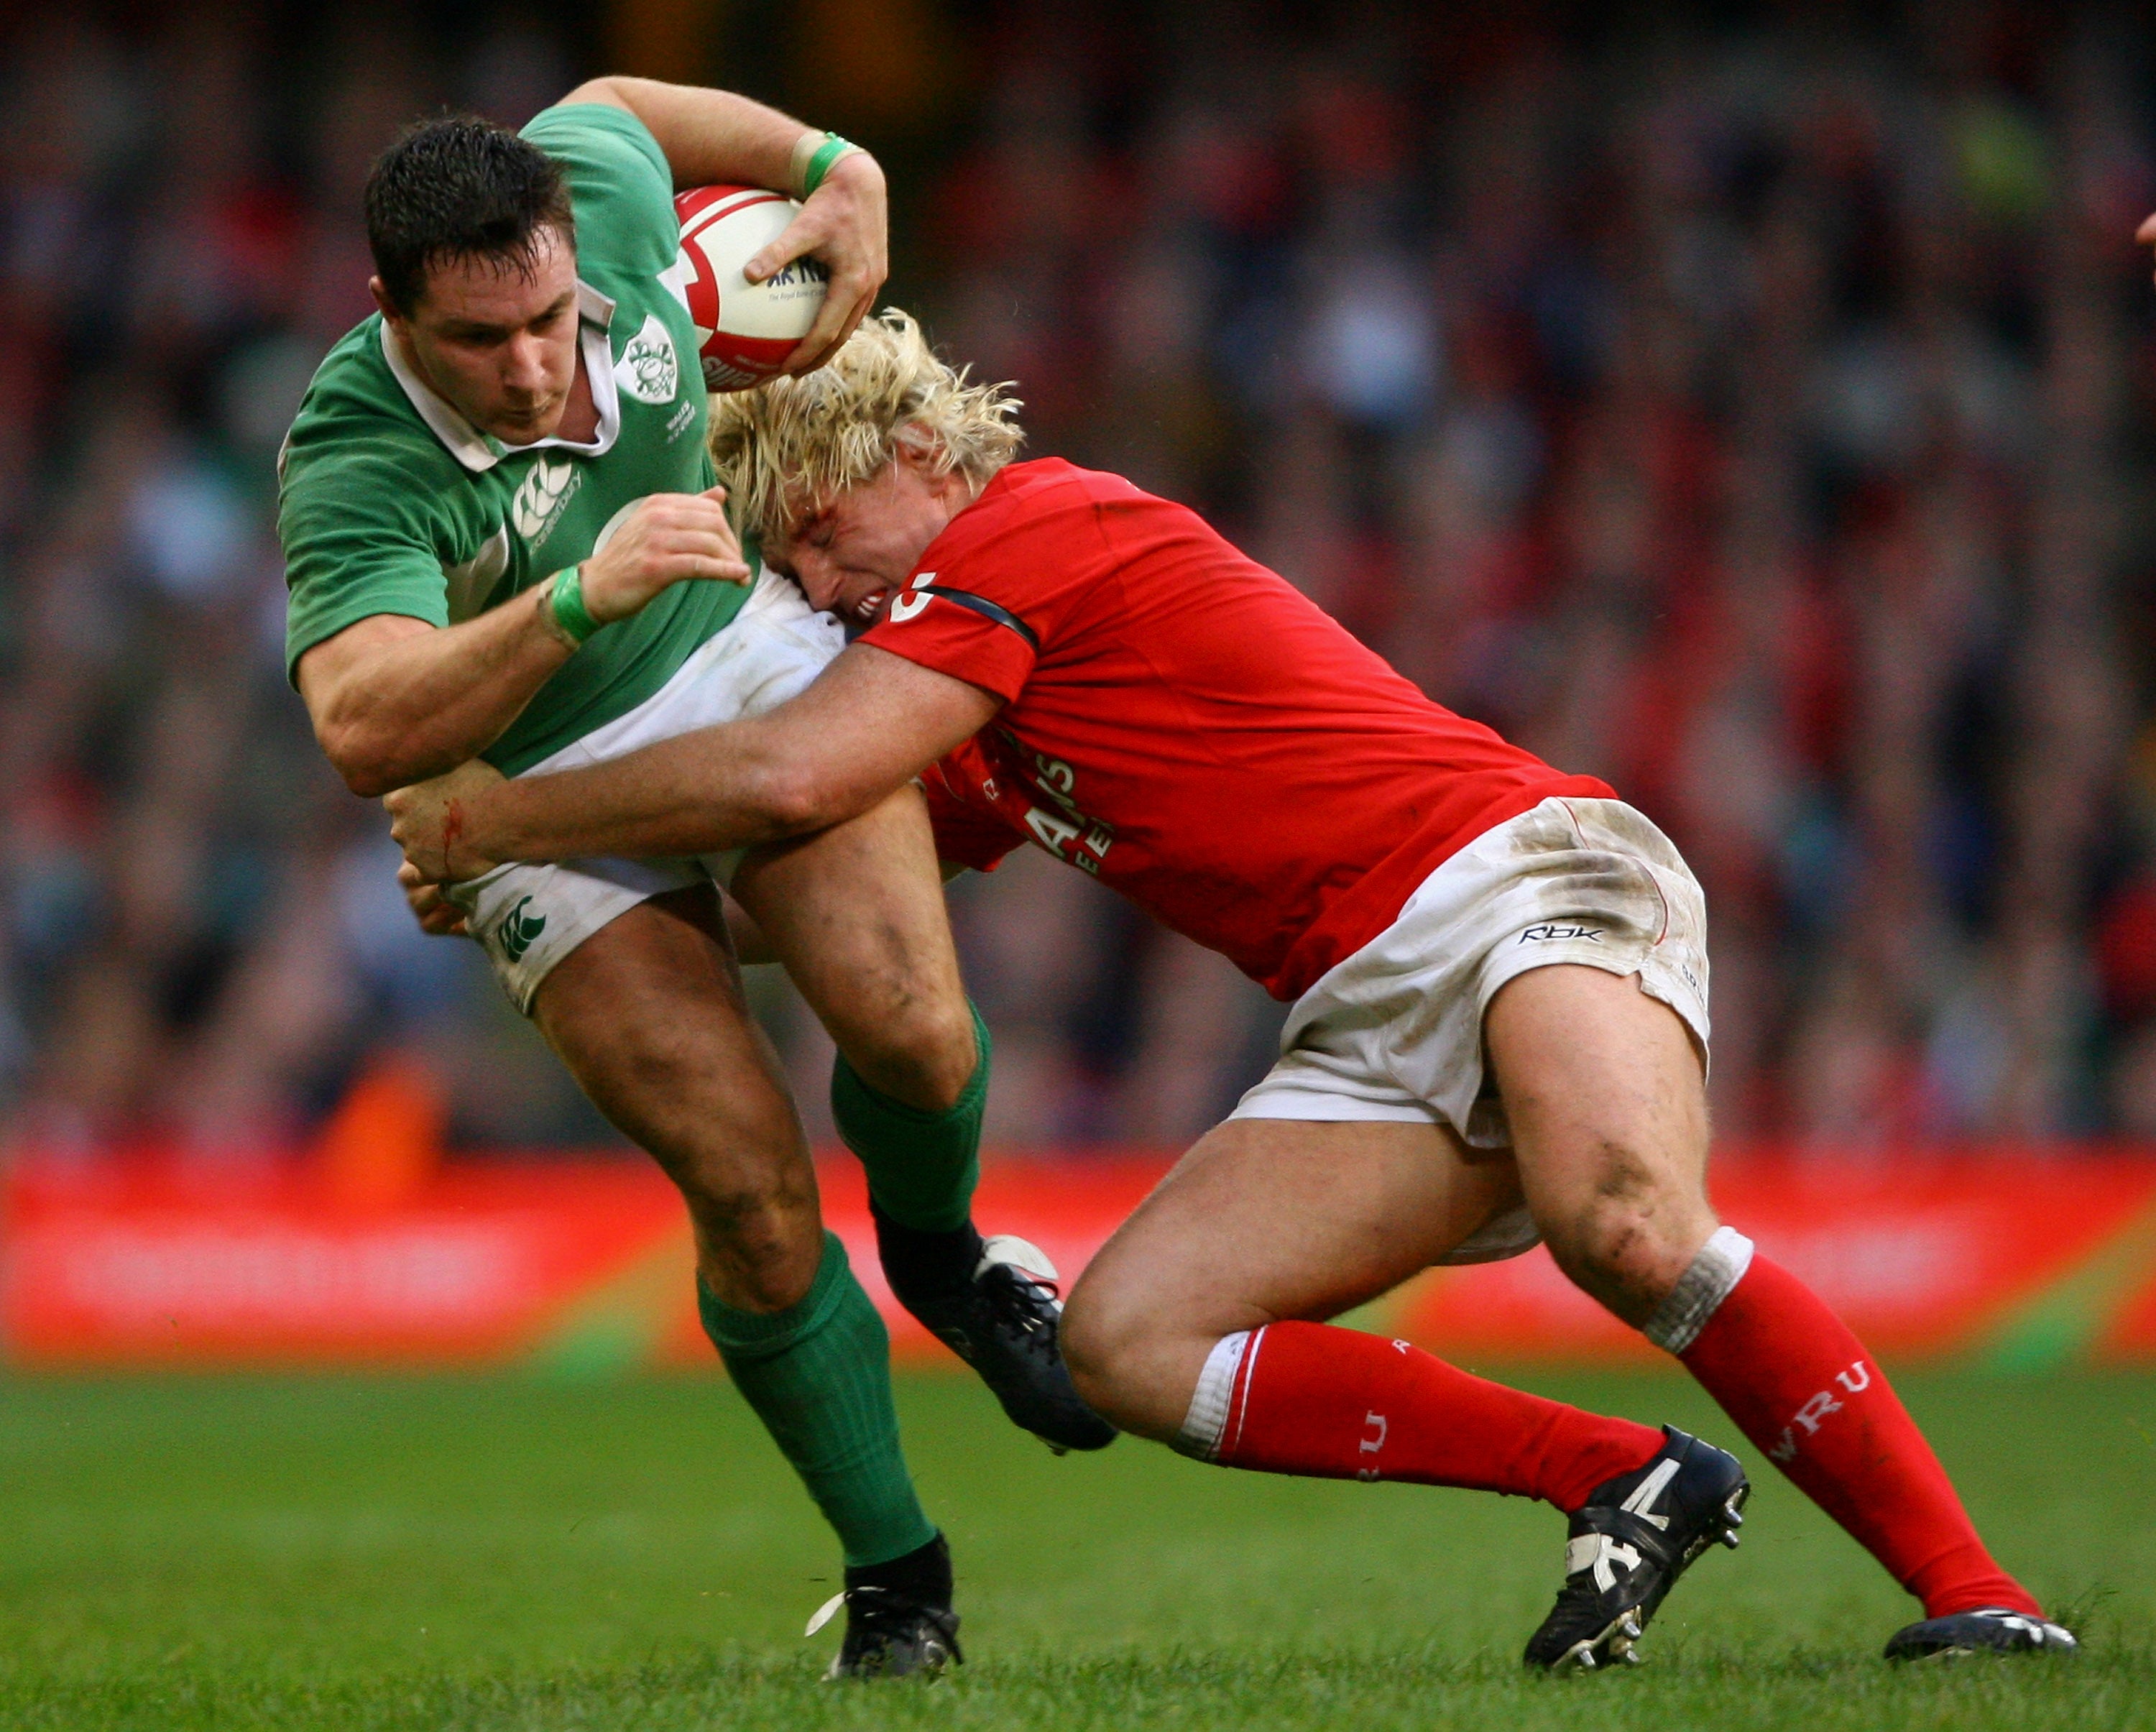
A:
x: 1631, y: 1543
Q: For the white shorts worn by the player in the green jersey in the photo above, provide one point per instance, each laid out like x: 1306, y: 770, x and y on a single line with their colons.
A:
x: 529, y: 918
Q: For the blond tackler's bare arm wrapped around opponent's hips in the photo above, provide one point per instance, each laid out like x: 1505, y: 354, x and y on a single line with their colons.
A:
x: 866, y: 728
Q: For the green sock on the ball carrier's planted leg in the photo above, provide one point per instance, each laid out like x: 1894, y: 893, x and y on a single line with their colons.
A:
x: 818, y: 1377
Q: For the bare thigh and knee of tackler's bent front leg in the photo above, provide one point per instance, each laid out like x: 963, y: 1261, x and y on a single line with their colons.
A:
x: 1271, y: 1220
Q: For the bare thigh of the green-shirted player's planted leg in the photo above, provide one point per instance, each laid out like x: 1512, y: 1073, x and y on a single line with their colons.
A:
x: 648, y: 1015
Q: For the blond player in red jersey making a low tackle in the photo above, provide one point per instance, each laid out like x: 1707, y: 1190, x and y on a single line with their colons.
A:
x: 1497, y: 972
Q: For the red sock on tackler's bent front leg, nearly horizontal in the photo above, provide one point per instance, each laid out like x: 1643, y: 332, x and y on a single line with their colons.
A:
x: 1340, y: 1405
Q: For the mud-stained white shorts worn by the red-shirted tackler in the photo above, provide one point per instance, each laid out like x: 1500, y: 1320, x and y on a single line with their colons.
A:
x: 1396, y: 1032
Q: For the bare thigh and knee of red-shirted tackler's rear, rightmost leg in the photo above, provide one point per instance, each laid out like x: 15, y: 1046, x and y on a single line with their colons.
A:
x: 1607, y: 1105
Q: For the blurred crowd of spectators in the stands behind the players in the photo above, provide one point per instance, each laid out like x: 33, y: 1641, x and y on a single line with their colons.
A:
x: 1752, y: 407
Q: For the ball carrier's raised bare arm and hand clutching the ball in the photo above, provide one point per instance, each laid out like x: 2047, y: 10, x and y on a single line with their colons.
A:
x: 715, y: 137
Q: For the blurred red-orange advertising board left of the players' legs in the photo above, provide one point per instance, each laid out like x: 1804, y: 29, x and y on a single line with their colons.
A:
x: 141, y: 1267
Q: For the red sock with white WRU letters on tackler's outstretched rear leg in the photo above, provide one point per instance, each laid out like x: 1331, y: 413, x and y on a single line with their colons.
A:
x: 1806, y: 1392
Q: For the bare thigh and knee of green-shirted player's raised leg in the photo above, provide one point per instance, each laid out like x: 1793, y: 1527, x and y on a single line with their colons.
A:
x: 857, y: 916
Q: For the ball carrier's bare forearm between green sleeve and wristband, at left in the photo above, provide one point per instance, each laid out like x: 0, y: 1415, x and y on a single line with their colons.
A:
x: 393, y: 700
